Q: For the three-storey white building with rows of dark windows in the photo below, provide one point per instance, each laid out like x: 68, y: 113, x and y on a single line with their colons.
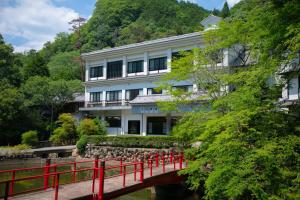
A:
x: 121, y: 81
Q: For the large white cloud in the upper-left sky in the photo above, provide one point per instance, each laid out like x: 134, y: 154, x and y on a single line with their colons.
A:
x: 35, y: 21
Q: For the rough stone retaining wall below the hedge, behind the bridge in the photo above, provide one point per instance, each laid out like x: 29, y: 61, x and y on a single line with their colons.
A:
x: 127, y: 154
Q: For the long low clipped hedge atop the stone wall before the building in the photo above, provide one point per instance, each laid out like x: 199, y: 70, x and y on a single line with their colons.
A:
x: 138, y: 141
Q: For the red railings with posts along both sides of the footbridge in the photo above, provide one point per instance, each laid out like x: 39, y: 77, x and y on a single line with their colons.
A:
x: 100, y: 172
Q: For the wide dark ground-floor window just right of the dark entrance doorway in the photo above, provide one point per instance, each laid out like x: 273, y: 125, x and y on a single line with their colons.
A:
x: 156, y: 125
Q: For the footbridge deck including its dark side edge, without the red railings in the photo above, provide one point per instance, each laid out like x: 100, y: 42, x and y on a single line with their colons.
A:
x: 113, y: 187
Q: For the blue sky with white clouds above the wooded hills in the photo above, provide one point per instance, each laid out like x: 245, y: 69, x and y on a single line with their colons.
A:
x: 28, y: 24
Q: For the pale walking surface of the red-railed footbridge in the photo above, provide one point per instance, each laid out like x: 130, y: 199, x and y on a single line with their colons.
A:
x: 81, y: 189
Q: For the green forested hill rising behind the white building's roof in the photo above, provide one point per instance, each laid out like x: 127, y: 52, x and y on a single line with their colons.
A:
x: 120, y: 22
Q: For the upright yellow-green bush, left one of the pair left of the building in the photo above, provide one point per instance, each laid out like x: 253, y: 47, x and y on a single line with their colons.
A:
x: 66, y: 132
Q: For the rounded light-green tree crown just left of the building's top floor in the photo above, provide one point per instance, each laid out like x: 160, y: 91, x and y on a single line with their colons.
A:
x: 64, y: 66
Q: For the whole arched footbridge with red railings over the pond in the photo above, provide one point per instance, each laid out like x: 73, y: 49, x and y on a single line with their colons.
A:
x: 92, y: 179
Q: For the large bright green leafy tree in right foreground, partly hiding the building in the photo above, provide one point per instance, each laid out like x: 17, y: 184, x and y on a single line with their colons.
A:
x: 249, y: 146
